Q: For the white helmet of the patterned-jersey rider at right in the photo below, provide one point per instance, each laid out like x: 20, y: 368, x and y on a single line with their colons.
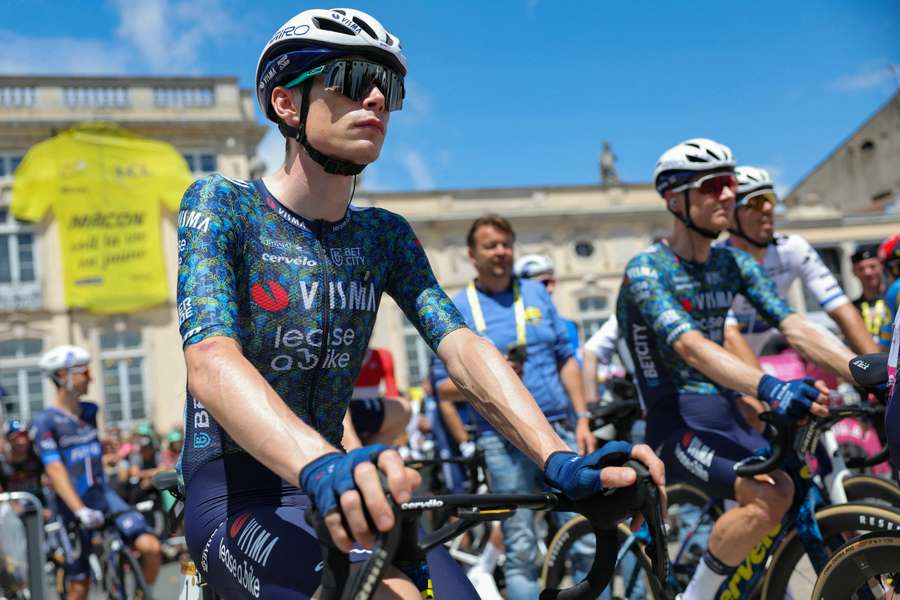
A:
x: 687, y: 159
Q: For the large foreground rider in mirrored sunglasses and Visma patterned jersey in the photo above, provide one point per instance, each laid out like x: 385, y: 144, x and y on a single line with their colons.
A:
x: 278, y: 288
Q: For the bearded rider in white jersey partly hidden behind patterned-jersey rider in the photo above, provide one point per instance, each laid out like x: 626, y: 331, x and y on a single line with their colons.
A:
x: 785, y: 258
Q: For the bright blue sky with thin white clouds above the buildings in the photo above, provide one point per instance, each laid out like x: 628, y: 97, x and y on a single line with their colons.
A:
x: 524, y: 92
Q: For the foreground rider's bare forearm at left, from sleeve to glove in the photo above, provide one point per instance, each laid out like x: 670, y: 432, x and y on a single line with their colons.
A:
x: 247, y: 407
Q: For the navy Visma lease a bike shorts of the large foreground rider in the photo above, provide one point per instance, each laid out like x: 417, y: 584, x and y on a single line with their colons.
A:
x: 246, y: 532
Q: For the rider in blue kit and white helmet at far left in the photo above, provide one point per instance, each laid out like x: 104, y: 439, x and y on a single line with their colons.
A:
x: 67, y: 443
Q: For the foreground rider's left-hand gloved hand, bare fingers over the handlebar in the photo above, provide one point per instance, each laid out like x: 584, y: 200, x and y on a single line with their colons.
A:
x: 341, y: 483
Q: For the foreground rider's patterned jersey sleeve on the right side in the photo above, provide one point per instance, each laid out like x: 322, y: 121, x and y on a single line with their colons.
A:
x: 414, y: 288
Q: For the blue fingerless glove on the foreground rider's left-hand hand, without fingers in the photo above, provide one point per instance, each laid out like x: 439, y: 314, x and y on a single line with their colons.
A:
x: 330, y: 475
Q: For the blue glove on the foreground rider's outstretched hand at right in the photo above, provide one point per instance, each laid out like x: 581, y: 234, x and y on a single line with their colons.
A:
x: 579, y: 476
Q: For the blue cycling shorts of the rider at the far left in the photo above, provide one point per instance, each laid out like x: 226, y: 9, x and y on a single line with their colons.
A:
x: 130, y: 523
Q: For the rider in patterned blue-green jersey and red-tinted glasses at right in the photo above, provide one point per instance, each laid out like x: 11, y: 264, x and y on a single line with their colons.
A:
x: 671, y: 310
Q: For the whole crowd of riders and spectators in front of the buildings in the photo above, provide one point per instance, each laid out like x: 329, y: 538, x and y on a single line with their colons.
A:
x: 288, y: 408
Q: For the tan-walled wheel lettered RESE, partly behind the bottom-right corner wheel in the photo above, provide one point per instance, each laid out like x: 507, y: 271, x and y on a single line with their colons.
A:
x: 790, y: 573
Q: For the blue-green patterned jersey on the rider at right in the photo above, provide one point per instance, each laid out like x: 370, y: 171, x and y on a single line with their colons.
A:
x: 664, y: 296
